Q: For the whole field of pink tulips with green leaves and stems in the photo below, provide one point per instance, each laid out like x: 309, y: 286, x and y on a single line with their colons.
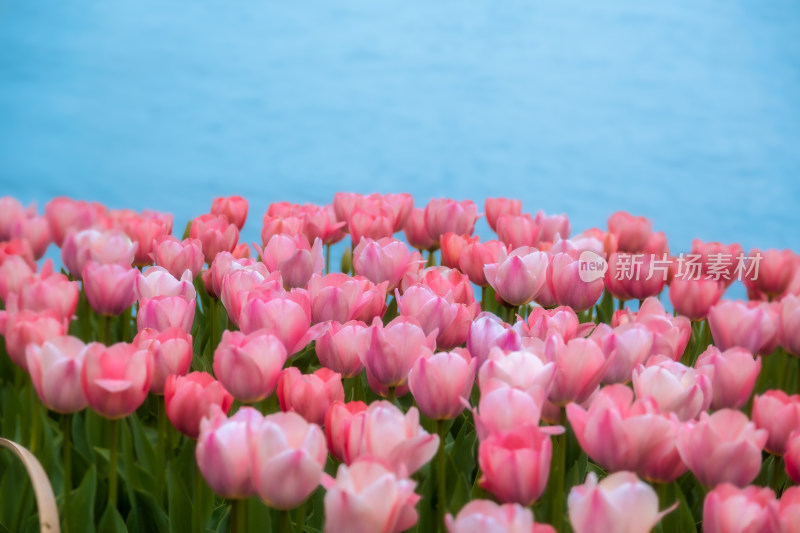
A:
x: 172, y: 380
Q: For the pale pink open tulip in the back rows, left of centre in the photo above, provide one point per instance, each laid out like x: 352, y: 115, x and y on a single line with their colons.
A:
x: 293, y: 257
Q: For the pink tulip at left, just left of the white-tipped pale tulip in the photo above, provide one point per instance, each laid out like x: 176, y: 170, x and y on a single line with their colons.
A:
x: 109, y: 288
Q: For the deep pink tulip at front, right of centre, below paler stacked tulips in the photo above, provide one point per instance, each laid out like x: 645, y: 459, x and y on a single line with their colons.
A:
x: 515, y: 464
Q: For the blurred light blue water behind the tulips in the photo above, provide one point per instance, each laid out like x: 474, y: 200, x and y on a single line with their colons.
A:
x: 687, y: 112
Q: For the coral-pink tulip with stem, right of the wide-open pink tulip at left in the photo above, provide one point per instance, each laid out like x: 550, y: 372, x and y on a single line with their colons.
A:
x: 171, y: 350
